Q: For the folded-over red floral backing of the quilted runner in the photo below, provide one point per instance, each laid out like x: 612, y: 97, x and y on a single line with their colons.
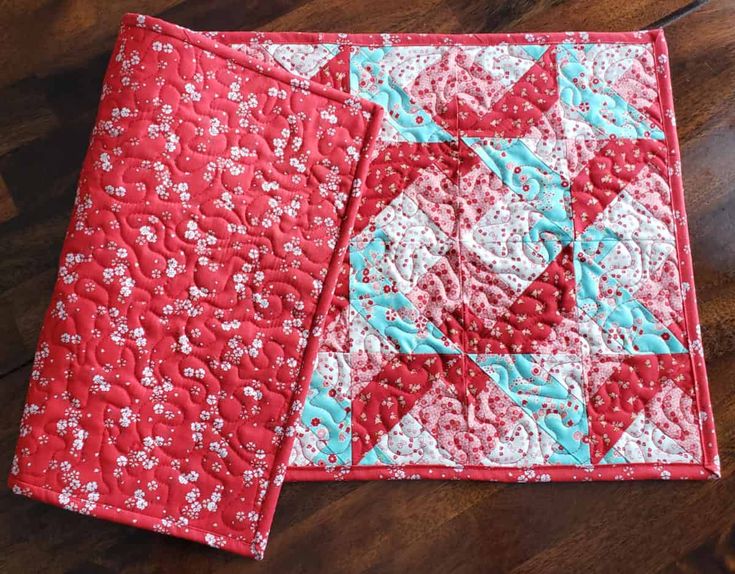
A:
x: 194, y: 281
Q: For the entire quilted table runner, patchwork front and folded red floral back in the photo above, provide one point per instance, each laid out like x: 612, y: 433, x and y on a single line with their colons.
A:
x: 345, y: 256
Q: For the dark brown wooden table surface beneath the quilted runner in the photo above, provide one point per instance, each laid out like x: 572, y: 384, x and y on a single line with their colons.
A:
x: 52, y: 58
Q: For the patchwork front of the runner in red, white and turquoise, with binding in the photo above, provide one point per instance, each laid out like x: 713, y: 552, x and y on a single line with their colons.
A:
x: 517, y: 303
